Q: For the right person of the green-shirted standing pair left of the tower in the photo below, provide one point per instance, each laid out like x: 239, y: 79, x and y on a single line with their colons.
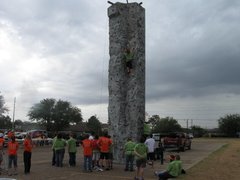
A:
x: 72, y: 149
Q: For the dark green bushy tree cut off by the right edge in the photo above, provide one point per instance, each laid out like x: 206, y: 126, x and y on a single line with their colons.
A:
x: 229, y: 124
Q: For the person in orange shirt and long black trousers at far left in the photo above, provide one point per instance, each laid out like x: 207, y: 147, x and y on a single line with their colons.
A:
x: 27, y: 153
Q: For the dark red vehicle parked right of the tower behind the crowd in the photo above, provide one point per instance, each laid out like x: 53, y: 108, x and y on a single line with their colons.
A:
x: 179, y: 140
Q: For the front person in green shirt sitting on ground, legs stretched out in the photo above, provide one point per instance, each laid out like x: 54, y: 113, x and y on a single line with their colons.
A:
x: 172, y: 170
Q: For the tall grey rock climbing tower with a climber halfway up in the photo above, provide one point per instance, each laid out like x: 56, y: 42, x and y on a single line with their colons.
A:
x: 126, y: 111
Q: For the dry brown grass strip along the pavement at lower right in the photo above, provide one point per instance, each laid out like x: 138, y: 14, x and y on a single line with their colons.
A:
x: 223, y: 164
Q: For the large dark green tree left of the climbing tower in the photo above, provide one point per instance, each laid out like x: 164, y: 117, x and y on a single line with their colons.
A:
x: 55, y: 115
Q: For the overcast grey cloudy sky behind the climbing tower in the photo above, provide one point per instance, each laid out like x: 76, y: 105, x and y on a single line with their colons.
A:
x: 59, y: 49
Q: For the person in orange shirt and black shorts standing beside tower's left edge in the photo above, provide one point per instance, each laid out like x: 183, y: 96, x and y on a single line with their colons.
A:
x: 104, y: 143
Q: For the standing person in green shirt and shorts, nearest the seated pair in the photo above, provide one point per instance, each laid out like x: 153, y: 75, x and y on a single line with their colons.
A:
x: 140, y: 151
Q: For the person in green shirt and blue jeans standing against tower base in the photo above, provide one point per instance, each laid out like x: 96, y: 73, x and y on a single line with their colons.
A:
x: 129, y: 155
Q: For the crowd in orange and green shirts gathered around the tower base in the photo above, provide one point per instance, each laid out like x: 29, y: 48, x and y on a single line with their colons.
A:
x: 97, y: 153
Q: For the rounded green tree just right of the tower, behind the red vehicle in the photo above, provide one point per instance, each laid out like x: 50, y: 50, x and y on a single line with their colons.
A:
x: 167, y: 124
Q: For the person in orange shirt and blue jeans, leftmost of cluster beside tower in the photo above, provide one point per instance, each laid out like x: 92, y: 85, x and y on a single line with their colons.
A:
x: 87, y: 152
